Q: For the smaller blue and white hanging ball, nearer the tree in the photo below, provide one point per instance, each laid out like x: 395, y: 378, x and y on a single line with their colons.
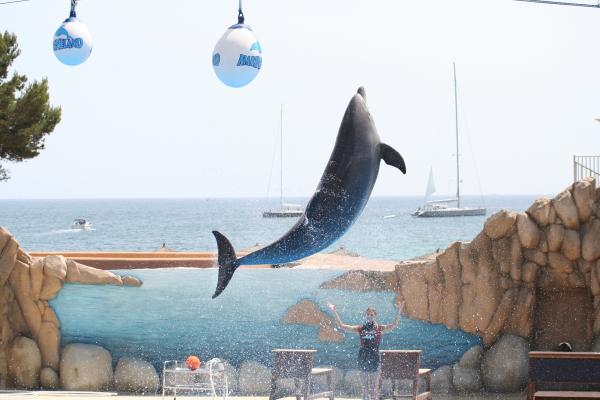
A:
x: 72, y: 42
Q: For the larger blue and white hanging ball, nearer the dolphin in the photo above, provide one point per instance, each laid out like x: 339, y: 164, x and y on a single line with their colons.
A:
x: 237, y: 57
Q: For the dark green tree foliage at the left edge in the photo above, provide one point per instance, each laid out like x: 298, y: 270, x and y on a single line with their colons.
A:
x: 26, y: 116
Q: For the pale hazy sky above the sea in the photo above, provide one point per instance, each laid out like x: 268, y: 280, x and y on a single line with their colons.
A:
x: 146, y: 117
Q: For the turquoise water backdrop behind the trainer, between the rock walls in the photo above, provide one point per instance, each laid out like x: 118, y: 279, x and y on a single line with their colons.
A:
x: 172, y: 315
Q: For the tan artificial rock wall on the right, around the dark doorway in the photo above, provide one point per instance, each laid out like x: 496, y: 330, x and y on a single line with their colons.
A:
x: 488, y: 286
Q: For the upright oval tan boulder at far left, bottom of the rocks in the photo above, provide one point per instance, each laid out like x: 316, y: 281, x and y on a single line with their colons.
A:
x: 24, y: 363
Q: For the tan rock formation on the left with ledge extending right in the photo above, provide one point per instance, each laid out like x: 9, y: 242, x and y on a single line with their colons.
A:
x: 29, y: 329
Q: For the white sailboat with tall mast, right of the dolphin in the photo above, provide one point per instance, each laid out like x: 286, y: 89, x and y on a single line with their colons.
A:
x: 443, y: 208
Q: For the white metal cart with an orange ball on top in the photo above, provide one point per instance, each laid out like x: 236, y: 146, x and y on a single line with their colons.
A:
x: 210, y: 379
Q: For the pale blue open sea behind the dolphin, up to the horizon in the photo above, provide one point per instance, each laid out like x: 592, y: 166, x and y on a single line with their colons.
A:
x: 186, y: 224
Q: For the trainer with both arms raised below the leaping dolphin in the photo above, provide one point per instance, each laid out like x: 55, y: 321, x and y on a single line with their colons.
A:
x: 368, y: 355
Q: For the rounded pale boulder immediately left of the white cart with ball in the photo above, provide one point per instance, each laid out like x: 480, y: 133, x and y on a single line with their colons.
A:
x: 135, y: 375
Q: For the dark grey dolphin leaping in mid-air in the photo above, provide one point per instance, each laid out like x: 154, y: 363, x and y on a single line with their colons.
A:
x: 341, y: 196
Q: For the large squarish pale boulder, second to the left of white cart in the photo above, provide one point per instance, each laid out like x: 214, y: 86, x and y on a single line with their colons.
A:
x: 85, y: 367
